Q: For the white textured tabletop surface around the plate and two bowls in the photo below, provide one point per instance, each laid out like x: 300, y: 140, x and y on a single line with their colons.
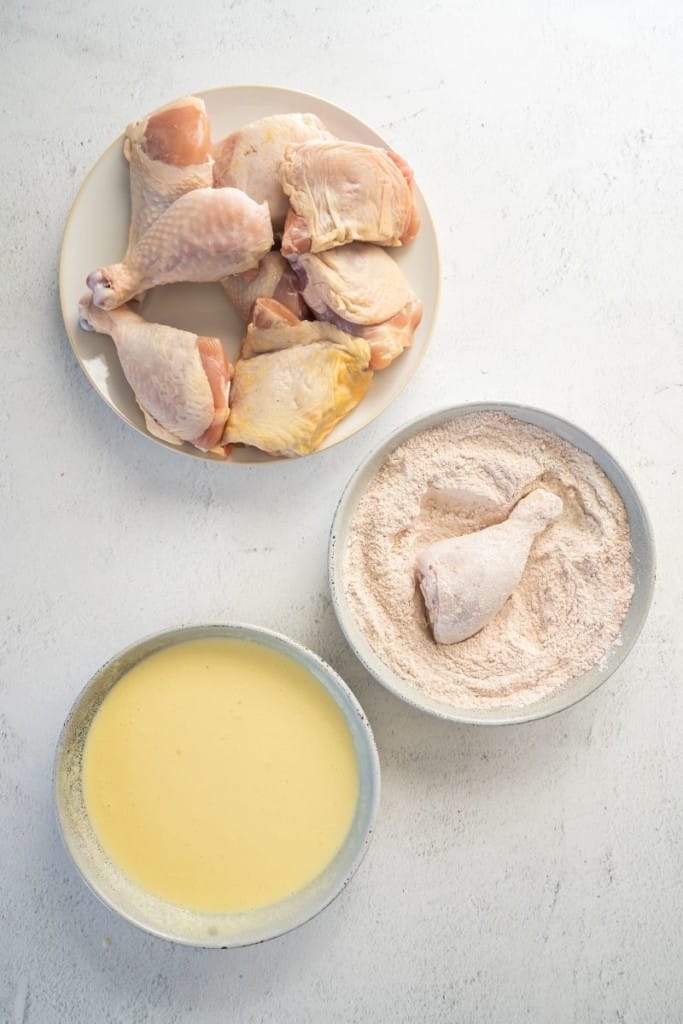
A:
x: 531, y: 874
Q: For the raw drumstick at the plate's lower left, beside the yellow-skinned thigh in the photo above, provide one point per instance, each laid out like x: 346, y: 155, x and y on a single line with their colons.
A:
x: 182, y: 382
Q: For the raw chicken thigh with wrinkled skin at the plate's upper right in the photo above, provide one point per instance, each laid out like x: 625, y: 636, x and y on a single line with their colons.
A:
x: 346, y: 192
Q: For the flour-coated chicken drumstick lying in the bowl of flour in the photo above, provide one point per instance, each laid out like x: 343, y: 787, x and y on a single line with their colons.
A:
x: 465, y: 581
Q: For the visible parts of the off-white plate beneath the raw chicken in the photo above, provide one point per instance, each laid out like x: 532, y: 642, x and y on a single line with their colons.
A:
x: 97, y: 234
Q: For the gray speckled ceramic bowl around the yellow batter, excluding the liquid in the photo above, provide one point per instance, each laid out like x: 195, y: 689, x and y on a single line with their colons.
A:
x: 163, y: 919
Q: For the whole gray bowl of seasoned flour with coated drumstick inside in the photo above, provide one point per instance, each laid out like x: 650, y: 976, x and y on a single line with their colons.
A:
x: 561, y: 627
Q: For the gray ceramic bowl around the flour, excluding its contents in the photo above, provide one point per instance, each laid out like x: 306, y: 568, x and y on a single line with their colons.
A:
x: 643, y: 566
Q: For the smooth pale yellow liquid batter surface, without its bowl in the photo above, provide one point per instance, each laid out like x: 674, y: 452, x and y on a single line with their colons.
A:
x: 221, y: 776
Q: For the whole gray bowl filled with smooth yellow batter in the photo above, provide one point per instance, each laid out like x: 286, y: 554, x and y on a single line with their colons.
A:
x: 217, y: 786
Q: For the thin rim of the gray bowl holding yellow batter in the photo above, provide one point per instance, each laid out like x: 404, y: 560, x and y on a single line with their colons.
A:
x: 352, y: 710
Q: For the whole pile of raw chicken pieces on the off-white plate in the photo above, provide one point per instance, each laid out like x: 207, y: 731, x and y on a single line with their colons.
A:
x: 319, y: 322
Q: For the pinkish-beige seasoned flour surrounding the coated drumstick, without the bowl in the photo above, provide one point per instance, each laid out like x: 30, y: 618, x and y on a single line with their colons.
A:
x: 460, y: 478
